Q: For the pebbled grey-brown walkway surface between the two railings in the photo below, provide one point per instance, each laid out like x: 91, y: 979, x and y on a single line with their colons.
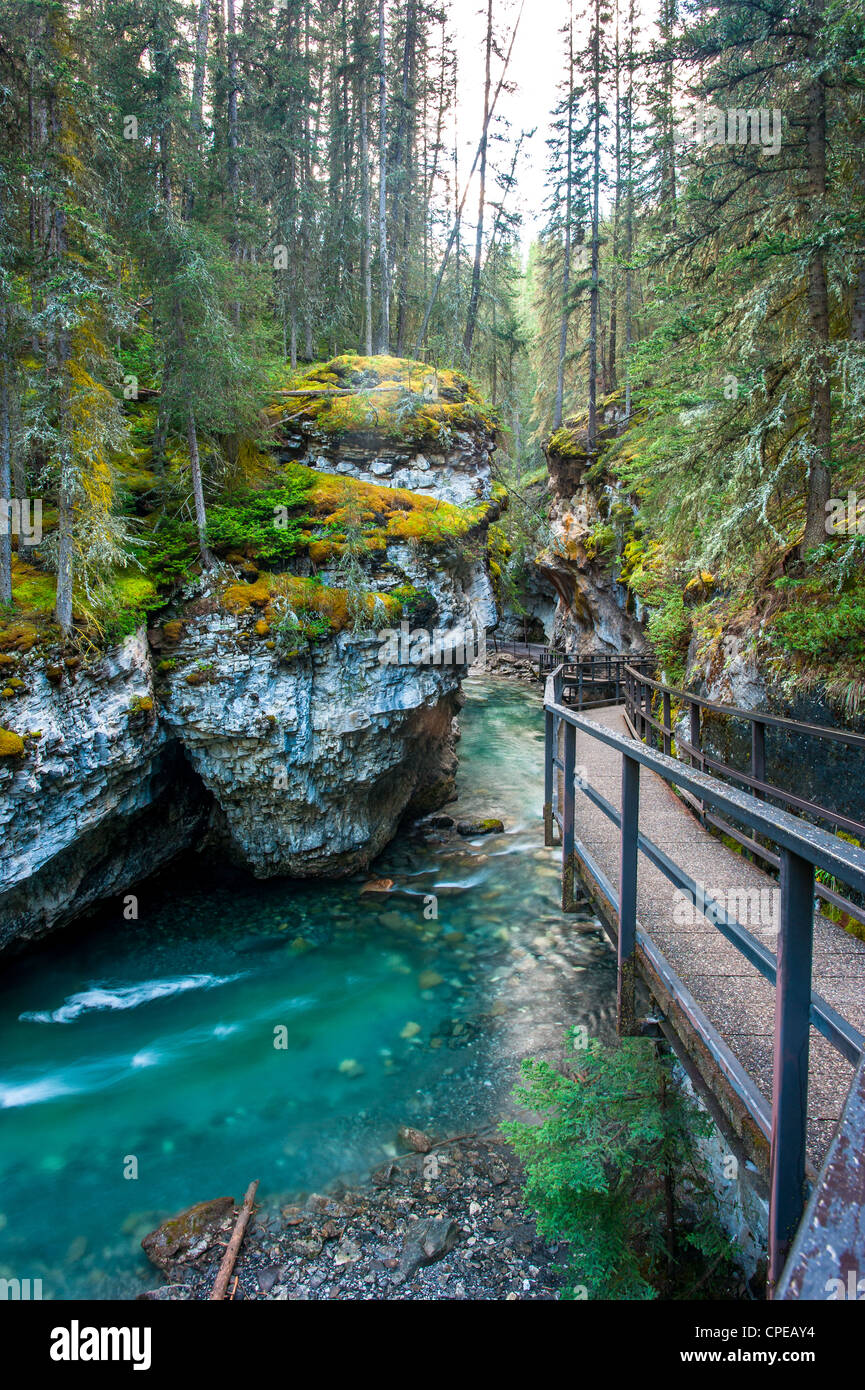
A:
x: 731, y: 992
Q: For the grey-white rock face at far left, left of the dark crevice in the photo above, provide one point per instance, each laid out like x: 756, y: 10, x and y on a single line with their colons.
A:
x: 101, y: 797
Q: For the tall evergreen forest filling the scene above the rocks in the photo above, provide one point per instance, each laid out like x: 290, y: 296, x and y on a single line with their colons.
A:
x: 202, y: 202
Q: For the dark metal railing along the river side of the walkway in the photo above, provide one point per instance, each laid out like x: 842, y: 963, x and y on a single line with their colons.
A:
x: 803, y: 849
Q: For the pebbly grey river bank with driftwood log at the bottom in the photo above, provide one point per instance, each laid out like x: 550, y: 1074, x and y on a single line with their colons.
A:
x: 443, y: 1225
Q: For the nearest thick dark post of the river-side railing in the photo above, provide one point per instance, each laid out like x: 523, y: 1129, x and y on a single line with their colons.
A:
x: 791, y: 1064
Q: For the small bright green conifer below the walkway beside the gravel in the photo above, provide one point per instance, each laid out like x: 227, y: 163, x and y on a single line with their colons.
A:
x: 614, y: 1171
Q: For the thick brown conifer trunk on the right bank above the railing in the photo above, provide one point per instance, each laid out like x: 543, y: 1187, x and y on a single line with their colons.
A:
x: 820, y: 477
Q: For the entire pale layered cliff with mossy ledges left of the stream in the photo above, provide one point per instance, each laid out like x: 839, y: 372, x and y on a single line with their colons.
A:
x: 239, y: 726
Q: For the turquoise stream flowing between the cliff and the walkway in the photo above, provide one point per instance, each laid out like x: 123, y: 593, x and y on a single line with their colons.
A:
x: 277, y: 1031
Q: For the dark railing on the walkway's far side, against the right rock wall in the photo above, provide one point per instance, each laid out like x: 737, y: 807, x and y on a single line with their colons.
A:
x: 643, y: 696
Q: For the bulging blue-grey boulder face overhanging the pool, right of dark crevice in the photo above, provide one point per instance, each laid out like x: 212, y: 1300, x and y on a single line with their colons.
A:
x: 314, y: 761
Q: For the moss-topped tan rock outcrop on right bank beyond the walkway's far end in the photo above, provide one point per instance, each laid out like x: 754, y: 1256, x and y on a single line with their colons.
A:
x: 595, y: 614
